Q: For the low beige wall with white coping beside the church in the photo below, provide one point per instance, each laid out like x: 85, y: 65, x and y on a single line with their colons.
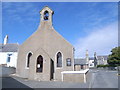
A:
x: 74, y: 76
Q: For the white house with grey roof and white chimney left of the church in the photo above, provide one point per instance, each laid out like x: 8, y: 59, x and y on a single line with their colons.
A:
x: 8, y: 53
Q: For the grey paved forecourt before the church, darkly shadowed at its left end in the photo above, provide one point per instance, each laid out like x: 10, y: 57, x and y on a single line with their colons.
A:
x: 25, y: 83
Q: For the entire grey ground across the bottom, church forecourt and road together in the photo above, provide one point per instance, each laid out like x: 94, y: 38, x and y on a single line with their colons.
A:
x: 96, y: 79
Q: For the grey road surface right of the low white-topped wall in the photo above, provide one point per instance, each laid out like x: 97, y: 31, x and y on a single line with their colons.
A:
x: 104, y: 79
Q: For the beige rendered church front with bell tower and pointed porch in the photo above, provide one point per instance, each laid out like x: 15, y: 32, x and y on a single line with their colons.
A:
x: 45, y: 54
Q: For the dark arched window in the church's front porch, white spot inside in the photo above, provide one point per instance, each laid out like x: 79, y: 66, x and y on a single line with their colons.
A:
x: 39, y: 65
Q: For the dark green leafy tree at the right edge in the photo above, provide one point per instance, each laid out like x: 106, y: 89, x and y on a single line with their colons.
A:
x: 114, y: 58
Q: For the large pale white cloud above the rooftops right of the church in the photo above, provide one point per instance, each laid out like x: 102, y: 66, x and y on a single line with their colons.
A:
x: 100, y: 40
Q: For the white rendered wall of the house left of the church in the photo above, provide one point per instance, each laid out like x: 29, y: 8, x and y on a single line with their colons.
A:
x: 13, y: 58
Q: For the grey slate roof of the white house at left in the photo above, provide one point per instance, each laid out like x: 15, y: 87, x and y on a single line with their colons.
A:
x: 9, y: 47
